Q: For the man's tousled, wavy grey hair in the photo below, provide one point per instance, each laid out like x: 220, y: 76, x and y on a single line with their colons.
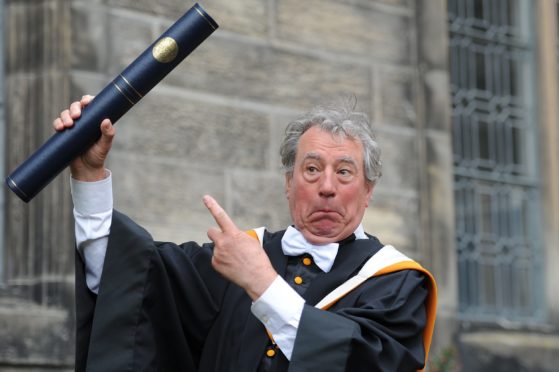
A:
x: 342, y: 121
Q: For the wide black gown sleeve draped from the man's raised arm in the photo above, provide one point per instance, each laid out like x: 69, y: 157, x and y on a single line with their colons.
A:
x: 155, y: 305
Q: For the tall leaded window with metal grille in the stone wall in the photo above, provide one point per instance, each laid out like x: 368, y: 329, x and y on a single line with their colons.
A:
x: 494, y: 132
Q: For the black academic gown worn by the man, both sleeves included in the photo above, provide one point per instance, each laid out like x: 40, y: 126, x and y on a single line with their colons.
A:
x: 162, y: 307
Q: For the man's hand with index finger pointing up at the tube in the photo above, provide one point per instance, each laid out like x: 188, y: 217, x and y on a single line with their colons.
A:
x: 237, y: 256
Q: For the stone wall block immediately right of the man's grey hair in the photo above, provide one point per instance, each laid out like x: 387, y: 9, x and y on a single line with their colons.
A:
x: 400, y: 161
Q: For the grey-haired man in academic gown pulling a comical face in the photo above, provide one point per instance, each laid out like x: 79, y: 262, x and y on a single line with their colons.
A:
x: 246, y: 302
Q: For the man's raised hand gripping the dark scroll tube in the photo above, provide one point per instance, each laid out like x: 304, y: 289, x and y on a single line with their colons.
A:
x: 89, y: 166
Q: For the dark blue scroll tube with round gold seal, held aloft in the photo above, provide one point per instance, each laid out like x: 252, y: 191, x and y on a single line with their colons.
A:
x: 112, y: 102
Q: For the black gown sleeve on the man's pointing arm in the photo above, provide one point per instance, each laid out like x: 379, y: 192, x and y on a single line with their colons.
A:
x: 377, y: 327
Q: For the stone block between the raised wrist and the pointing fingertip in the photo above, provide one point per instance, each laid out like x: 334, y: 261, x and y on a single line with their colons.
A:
x: 165, y: 195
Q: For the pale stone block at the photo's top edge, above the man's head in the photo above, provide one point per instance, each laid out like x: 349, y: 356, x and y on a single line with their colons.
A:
x: 342, y: 28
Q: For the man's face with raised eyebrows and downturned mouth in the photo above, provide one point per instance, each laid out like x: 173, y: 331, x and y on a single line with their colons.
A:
x: 328, y: 191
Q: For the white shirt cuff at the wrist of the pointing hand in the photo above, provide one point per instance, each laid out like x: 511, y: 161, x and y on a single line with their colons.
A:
x: 279, y: 309
